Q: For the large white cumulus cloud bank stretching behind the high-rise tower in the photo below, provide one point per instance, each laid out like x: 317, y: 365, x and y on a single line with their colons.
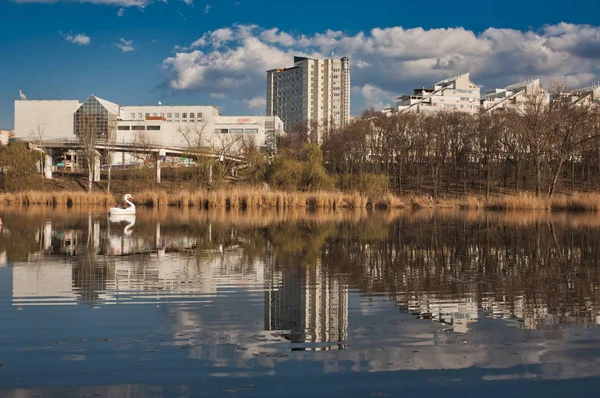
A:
x: 386, y: 62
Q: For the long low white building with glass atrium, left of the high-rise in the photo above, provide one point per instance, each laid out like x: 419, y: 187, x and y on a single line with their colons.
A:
x: 169, y: 126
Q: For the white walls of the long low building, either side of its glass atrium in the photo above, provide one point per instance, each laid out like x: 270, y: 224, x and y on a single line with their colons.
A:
x: 55, y: 120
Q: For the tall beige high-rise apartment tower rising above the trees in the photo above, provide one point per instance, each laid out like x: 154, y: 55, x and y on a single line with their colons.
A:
x: 312, y: 93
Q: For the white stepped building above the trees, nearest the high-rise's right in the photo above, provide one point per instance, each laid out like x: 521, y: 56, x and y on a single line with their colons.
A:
x: 457, y: 93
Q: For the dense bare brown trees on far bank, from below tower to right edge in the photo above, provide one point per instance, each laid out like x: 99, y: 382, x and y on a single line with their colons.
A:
x: 542, y: 143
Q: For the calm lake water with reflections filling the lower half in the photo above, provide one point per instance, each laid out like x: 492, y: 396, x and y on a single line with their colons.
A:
x: 178, y: 303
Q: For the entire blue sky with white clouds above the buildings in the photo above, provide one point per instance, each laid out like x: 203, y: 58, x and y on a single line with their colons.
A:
x: 216, y: 52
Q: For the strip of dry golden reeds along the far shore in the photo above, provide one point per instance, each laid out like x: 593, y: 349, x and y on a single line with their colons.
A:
x: 243, y: 198
